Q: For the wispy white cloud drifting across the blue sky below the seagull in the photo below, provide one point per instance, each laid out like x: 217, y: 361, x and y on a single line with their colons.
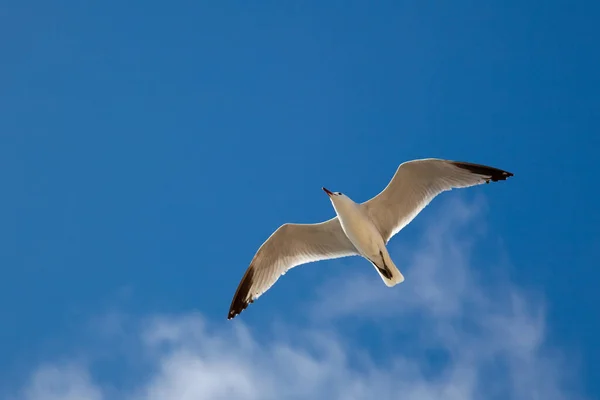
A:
x: 448, y: 332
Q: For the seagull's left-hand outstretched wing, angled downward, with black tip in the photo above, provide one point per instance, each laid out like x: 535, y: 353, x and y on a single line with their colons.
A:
x: 290, y: 245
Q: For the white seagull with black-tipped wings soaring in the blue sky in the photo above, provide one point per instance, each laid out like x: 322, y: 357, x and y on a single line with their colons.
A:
x: 359, y: 229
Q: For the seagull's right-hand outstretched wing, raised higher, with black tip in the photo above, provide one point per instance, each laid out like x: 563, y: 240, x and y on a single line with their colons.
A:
x: 416, y: 183
